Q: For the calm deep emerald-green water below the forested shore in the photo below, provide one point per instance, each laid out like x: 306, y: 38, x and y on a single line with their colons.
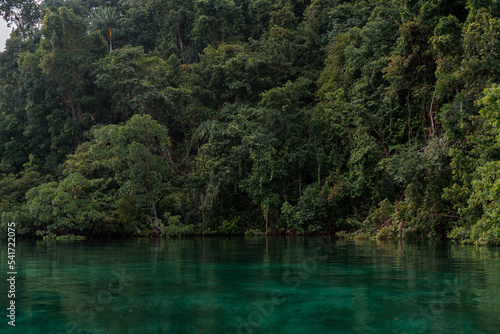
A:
x: 237, y: 285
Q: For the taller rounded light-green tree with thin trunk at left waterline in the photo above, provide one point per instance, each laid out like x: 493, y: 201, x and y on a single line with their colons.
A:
x: 135, y: 155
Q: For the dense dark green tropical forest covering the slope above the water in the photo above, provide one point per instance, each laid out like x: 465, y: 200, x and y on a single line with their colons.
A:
x: 279, y: 117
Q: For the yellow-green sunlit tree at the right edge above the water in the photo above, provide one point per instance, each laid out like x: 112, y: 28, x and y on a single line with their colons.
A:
x: 475, y: 194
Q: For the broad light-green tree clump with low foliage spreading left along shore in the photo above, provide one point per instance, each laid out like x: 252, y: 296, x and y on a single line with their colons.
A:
x: 121, y: 164
